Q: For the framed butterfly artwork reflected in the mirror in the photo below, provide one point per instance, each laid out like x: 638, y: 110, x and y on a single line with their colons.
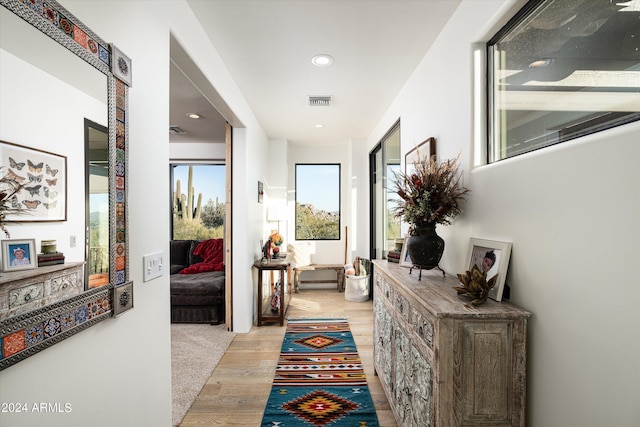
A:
x: 43, y: 179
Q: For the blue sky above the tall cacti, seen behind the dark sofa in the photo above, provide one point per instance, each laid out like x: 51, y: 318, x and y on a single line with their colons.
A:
x: 207, y: 179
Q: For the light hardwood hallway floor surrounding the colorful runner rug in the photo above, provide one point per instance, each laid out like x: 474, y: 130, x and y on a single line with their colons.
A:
x: 237, y: 391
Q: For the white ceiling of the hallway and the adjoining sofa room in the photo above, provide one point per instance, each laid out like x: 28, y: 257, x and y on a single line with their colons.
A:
x: 267, y: 46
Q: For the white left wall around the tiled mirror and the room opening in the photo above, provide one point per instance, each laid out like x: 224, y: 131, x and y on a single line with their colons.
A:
x: 118, y: 372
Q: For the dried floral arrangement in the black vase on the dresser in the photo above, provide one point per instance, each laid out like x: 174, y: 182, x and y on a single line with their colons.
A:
x: 431, y: 194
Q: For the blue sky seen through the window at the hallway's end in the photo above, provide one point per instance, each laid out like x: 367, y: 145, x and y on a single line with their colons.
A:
x: 318, y: 185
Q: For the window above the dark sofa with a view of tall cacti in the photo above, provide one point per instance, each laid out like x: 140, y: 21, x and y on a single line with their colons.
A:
x: 198, y: 201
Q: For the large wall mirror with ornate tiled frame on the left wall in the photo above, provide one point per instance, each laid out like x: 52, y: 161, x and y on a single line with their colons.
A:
x: 45, y: 305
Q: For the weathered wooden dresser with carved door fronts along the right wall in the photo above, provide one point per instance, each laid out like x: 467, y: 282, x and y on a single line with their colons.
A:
x: 441, y: 361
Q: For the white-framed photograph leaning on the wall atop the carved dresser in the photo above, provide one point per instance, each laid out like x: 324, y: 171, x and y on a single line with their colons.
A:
x: 492, y: 257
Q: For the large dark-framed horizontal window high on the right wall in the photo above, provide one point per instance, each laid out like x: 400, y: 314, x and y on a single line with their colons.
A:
x: 560, y: 70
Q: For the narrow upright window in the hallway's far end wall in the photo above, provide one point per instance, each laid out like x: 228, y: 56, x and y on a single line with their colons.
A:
x: 317, y: 202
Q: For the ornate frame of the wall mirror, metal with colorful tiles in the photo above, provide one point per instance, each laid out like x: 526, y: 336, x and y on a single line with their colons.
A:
x: 100, y: 303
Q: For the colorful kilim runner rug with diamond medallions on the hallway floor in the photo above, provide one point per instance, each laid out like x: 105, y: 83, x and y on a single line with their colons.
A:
x: 319, y: 380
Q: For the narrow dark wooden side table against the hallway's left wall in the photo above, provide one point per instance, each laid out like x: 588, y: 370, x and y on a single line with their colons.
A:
x: 265, y: 312
